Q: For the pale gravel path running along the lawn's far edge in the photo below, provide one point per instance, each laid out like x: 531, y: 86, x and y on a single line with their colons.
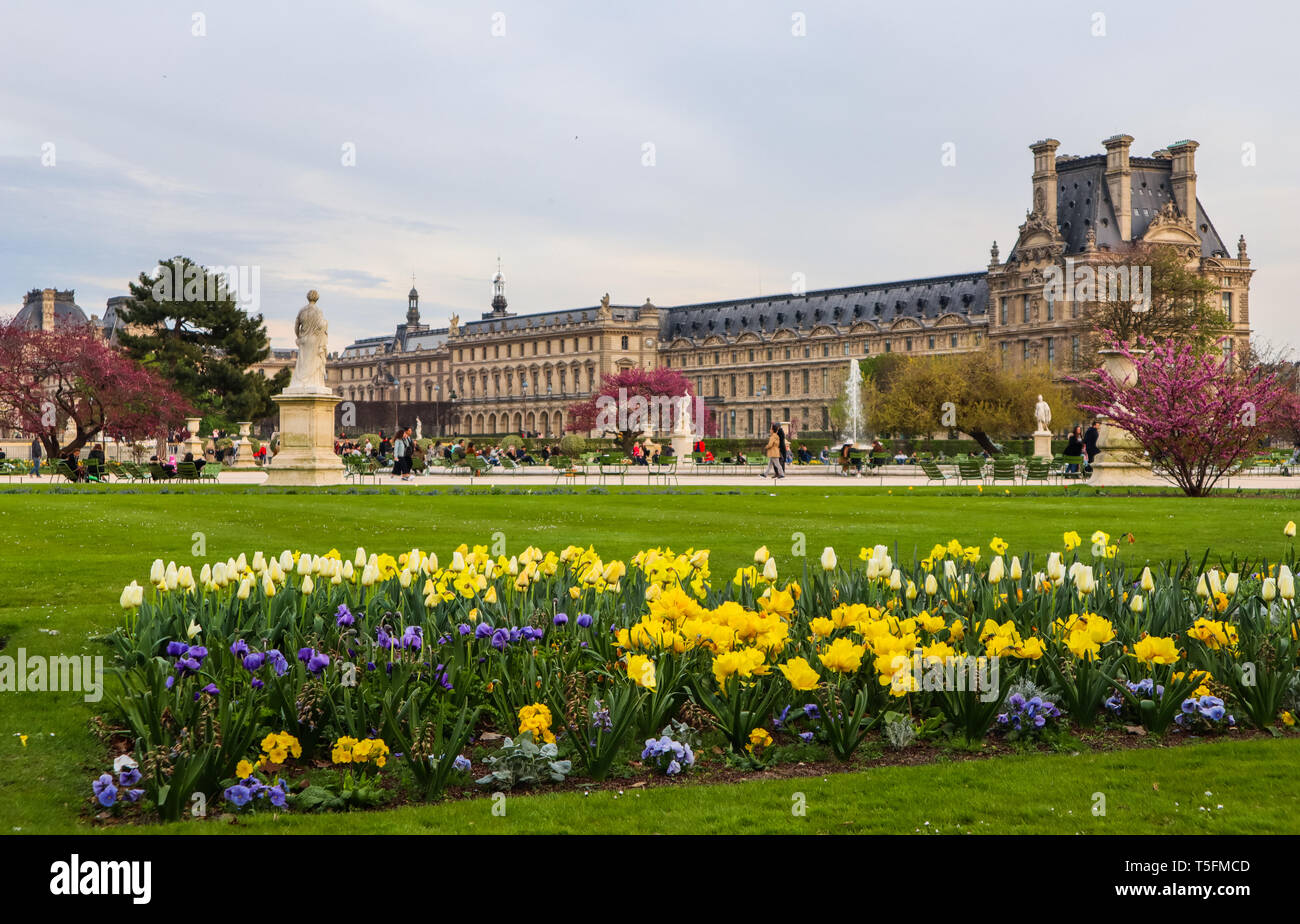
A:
x: 812, y: 476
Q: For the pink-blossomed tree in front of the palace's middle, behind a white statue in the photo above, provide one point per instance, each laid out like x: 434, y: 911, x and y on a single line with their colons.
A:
x: 635, y: 401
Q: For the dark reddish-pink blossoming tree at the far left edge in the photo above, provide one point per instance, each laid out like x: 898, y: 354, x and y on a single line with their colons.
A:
x: 71, y: 375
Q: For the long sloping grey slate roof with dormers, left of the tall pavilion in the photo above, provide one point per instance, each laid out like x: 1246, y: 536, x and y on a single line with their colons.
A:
x: 881, y: 303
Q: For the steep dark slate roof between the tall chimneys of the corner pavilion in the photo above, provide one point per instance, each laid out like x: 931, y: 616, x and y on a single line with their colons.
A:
x: 1084, y: 202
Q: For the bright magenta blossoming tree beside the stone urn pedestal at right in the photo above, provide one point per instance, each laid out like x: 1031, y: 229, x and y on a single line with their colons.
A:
x: 1197, y: 419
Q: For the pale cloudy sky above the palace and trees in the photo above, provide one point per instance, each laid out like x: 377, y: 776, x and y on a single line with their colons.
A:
x: 675, y: 151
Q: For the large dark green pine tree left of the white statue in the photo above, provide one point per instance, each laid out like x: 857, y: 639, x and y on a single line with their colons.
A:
x: 185, y: 324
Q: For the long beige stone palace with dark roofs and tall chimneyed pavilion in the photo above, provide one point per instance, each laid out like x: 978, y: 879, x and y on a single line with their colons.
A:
x: 783, y: 358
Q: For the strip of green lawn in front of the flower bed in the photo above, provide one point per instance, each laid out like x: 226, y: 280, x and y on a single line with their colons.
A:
x: 1158, y: 791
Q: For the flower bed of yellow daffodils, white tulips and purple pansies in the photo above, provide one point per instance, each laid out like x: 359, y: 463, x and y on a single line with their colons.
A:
x: 319, y: 682
